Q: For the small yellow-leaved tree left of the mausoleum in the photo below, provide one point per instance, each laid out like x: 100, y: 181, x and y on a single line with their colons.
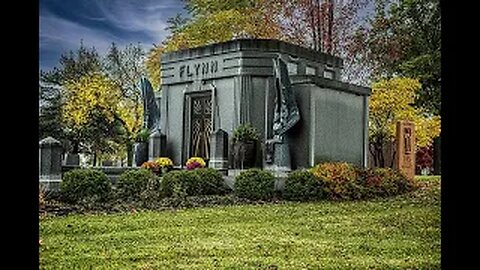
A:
x: 90, y: 111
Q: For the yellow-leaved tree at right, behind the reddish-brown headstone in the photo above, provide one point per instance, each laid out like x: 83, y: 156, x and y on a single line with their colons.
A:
x: 392, y: 100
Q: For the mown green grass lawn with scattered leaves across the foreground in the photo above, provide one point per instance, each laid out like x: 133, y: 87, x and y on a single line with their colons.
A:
x: 395, y: 233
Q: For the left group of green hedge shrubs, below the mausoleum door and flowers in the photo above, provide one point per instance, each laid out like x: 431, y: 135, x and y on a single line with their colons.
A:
x: 88, y: 185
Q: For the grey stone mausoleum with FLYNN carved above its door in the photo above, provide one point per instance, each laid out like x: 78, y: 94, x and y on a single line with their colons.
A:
x: 220, y: 86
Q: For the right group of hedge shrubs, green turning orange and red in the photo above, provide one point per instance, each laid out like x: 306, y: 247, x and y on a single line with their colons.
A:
x: 326, y: 181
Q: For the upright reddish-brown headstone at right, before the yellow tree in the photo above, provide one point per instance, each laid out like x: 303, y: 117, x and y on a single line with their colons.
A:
x: 405, y: 161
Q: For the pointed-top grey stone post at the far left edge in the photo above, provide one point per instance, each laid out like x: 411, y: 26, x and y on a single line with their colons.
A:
x: 50, y: 159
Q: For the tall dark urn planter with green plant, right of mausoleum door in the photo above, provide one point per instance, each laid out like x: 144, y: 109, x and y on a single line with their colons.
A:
x: 244, y: 141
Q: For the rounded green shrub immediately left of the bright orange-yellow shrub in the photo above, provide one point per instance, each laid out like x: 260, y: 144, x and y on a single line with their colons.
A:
x: 302, y: 185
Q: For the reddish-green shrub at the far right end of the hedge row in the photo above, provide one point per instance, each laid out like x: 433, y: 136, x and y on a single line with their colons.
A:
x: 385, y: 182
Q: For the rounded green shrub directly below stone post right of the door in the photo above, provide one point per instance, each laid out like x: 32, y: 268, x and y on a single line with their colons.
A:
x: 210, y: 182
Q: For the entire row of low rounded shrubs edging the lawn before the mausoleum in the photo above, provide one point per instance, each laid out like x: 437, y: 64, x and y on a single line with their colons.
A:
x: 331, y: 181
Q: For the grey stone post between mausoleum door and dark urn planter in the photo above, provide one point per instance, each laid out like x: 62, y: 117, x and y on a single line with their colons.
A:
x: 219, y: 150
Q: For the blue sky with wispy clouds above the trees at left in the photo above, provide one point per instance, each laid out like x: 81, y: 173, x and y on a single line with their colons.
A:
x: 98, y: 23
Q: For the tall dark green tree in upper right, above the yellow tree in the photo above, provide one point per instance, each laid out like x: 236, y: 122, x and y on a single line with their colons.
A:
x: 404, y: 39
